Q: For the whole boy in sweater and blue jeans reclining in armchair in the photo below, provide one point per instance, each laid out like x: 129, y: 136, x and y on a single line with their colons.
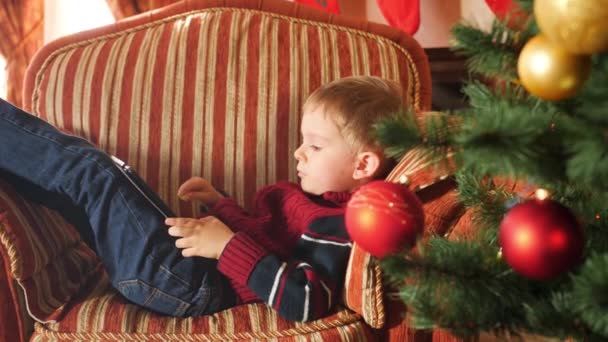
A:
x: 252, y: 252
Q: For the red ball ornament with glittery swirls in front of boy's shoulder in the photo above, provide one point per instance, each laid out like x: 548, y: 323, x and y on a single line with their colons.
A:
x: 384, y: 217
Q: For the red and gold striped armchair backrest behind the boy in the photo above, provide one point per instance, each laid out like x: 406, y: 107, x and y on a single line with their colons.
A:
x: 212, y: 87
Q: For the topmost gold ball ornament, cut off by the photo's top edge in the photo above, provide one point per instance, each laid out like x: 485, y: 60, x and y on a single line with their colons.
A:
x: 579, y: 26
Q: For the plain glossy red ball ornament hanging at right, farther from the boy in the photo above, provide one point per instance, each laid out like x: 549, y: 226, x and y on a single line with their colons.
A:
x: 541, y: 239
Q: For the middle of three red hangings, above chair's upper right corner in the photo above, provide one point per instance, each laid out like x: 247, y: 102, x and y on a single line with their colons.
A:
x: 402, y: 14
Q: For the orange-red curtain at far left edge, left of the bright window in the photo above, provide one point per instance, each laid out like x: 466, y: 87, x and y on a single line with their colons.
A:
x: 22, y: 32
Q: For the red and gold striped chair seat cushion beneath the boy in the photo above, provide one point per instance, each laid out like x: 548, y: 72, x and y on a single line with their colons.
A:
x: 105, y: 315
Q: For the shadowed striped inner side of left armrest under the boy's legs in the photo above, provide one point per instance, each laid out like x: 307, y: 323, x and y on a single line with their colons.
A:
x: 47, y: 258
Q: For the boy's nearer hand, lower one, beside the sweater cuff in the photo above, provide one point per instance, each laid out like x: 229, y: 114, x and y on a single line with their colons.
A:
x: 205, y: 237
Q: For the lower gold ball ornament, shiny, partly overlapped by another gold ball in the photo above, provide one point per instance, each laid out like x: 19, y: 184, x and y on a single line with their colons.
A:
x: 550, y: 72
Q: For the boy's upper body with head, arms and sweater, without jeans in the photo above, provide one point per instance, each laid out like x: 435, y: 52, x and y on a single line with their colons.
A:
x: 294, y: 251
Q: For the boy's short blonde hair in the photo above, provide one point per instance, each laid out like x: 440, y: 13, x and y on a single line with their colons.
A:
x: 355, y: 104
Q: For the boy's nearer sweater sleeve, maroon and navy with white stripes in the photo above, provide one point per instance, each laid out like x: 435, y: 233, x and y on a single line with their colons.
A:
x: 304, y: 286
